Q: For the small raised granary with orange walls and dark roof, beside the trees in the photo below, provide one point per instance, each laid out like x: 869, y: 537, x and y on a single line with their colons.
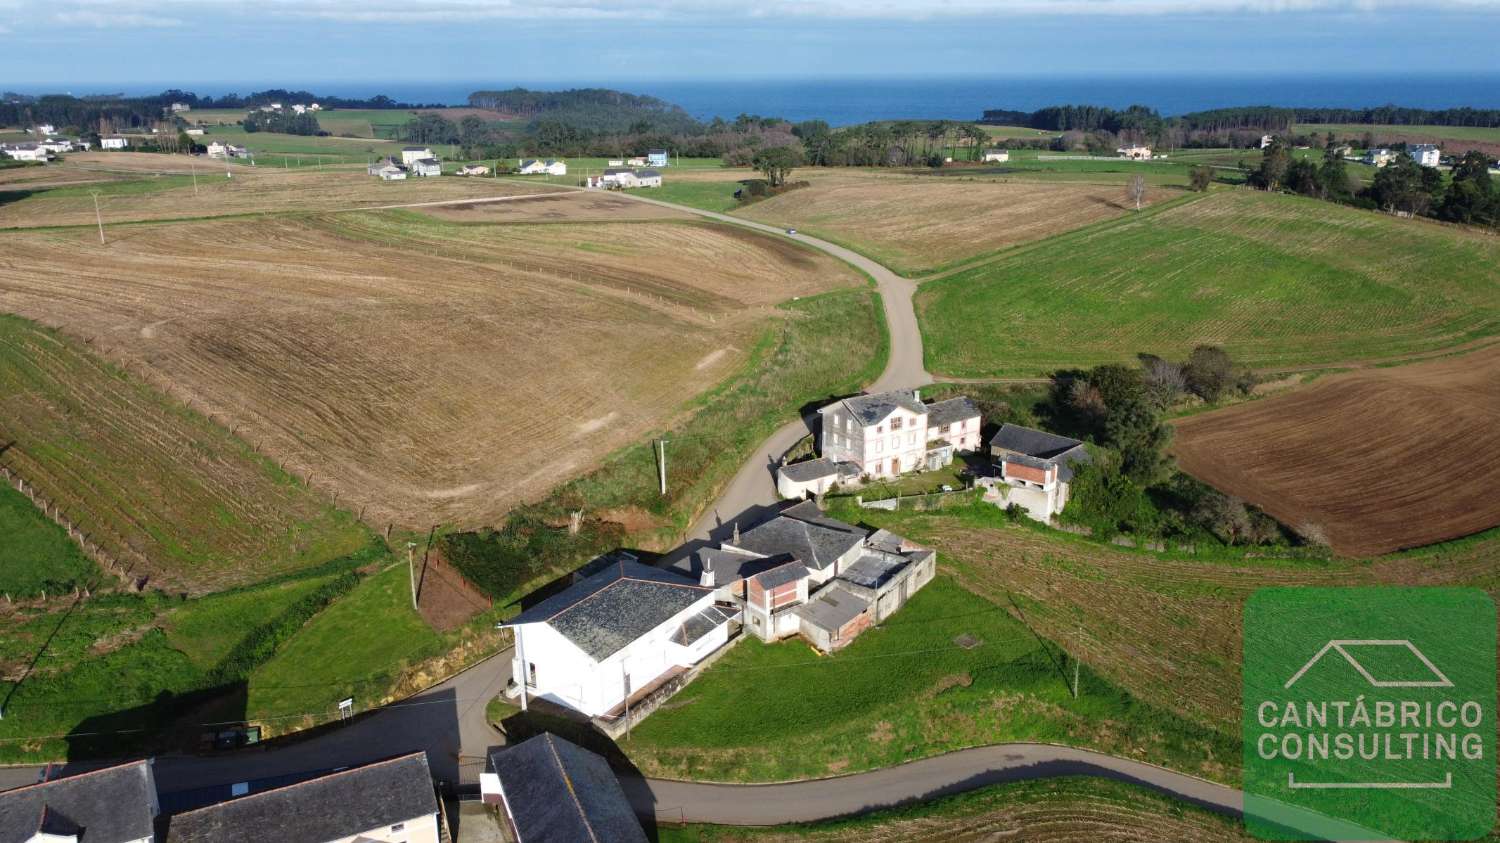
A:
x: 1036, y: 470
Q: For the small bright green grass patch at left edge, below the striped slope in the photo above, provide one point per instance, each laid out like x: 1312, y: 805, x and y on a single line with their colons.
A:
x: 37, y: 556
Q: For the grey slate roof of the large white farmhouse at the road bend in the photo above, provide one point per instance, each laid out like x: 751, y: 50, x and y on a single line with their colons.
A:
x: 614, y: 608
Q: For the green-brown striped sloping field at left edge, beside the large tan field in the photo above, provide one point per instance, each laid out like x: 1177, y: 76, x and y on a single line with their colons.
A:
x: 149, y: 479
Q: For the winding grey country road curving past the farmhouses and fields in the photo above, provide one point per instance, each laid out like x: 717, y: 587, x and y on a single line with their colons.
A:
x: 449, y: 721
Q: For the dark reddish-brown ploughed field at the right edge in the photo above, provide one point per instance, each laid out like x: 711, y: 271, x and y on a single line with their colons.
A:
x: 1423, y: 467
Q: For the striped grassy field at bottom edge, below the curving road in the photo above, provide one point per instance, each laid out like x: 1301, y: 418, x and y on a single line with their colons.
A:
x: 1048, y: 811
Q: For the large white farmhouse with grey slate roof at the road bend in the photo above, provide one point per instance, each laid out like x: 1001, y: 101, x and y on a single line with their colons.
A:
x: 619, y: 634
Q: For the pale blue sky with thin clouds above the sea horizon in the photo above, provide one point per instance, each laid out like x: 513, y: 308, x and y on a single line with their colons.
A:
x: 214, y: 46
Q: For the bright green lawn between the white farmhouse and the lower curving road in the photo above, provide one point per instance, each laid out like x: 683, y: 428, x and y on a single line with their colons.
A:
x: 902, y: 691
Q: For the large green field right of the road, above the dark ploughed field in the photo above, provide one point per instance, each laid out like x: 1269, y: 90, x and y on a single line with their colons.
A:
x: 1277, y: 281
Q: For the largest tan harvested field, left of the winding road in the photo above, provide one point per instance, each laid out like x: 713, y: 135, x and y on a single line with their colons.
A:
x: 421, y: 373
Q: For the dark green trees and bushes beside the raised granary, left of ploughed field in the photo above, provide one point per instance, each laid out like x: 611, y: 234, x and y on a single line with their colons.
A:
x: 1132, y: 485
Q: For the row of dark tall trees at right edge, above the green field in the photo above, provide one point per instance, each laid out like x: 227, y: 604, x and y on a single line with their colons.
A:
x: 1403, y: 187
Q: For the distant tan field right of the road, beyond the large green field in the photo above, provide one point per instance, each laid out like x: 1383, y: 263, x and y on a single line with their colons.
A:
x: 919, y: 223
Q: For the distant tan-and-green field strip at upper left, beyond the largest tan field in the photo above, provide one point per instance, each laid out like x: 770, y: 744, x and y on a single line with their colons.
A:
x: 154, y: 187
